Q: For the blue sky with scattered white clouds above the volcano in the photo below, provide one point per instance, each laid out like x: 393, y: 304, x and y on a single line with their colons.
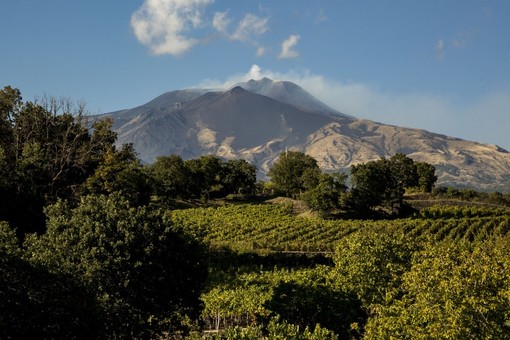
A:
x: 443, y: 66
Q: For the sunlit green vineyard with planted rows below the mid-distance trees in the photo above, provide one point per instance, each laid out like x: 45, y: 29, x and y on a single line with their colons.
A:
x: 273, y: 228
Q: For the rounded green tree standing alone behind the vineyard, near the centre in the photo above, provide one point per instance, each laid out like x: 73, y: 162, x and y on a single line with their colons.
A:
x: 294, y: 172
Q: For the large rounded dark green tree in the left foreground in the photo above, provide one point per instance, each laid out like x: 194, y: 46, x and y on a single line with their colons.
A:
x: 143, y: 271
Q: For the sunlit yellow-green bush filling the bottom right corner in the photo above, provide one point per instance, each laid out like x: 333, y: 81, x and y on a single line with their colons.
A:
x: 452, y: 291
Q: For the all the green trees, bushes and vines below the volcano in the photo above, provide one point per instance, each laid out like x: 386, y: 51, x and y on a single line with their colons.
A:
x: 92, y: 245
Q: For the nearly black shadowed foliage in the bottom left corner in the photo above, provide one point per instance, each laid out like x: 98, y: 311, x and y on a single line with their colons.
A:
x: 35, y: 303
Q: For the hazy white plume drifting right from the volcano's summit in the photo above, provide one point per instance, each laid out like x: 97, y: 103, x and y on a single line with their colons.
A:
x: 485, y: 119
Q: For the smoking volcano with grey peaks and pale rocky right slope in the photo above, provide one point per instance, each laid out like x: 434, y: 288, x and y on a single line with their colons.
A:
x: 259, y: 119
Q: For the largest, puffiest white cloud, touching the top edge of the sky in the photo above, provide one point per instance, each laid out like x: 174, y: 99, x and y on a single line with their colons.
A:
x: 162, y: 24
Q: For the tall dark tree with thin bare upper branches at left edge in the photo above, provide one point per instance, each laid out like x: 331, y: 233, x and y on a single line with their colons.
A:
x: 48, y: 151
